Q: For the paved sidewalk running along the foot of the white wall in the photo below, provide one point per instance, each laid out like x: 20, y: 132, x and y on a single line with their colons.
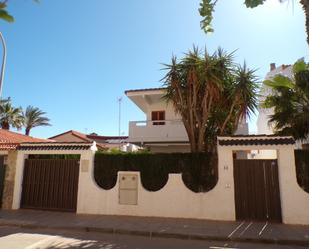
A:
x: 160, y: 227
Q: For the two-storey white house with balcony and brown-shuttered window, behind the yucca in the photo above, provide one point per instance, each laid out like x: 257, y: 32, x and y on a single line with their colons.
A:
x: 163, y: 129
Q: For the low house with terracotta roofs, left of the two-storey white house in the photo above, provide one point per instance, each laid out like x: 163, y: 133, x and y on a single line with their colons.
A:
x: 103, y: 142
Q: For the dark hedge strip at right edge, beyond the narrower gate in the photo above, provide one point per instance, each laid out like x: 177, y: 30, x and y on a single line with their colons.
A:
x: 302, y: 168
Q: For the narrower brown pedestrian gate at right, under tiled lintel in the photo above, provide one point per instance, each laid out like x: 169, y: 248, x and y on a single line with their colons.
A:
x: 257, y: 195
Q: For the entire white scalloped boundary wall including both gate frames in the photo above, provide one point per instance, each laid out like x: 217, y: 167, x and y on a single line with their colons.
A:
x: 174, y: 199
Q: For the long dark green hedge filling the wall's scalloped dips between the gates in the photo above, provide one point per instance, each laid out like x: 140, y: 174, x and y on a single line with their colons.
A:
x: 197, y: 171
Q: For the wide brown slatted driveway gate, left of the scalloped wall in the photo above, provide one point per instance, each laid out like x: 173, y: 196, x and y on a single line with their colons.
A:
x: 50, y: 184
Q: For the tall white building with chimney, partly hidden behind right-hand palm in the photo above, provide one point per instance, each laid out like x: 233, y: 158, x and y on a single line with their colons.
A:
x: 263, y: 126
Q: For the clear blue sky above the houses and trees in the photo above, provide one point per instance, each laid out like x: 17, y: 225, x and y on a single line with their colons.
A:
x: 74, y: 58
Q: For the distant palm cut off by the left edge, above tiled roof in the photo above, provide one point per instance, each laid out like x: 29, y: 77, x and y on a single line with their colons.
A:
x: 9, y: 115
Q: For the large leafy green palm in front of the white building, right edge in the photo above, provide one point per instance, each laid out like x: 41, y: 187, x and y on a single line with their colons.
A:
x: 290, y: 100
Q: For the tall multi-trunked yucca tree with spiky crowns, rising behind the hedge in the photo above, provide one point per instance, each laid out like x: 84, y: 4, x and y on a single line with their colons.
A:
x: 211, y: 93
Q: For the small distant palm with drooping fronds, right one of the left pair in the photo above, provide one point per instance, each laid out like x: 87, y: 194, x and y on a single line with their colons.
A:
x: 34, y: 117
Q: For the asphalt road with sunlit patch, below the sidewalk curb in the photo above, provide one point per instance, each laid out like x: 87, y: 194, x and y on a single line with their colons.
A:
x: 17, y: 238
